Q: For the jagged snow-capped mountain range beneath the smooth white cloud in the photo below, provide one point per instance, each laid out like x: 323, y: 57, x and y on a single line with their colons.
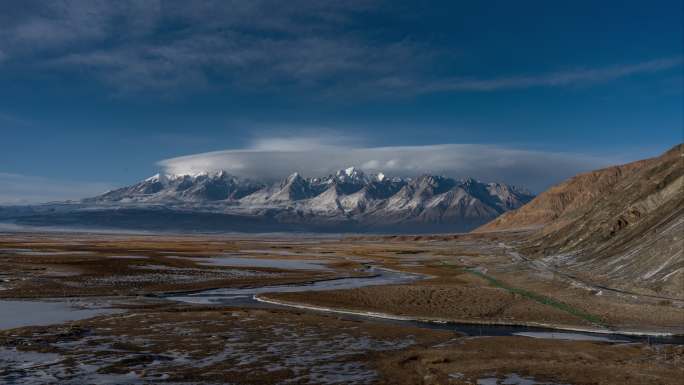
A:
x: 348, y: 200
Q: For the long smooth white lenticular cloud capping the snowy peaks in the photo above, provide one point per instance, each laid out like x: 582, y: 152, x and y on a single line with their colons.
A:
x: 315, y: 157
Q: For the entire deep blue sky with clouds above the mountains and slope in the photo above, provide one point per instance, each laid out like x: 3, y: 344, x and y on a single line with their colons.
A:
x: 96, y: 94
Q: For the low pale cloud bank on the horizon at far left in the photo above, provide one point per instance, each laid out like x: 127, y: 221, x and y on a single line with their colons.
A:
x: 23, y: 189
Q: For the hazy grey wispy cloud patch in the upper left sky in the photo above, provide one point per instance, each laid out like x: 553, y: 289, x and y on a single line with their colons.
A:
x: 244, y: 43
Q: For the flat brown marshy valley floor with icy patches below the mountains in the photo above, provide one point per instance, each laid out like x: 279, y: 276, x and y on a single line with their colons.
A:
x: 123, y: 309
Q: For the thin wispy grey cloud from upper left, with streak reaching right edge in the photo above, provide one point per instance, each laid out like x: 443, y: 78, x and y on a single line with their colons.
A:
x: 254, y: 44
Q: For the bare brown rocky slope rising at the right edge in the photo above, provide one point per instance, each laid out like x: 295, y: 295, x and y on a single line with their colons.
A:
x: 622, y: 224
